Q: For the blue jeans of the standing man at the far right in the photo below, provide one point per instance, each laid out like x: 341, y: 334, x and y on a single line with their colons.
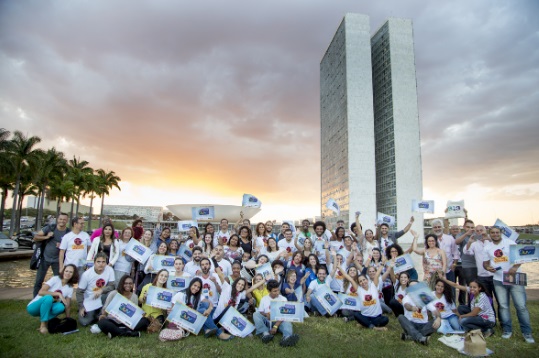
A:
x: 518, y: 293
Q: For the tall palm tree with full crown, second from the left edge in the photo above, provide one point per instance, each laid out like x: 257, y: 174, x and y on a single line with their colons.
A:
x: 20, y: 150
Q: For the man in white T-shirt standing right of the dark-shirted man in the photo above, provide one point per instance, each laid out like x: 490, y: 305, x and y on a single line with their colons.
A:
x: 74, y: 246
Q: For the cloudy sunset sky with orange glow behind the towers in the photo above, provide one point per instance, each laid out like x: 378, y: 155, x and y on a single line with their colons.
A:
x: 201, y: 102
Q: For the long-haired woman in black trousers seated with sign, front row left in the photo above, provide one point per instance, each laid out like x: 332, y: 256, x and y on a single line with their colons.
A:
x: 111, y: 326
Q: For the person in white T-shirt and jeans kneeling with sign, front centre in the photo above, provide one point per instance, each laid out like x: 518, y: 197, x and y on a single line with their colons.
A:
x: 268, y: 329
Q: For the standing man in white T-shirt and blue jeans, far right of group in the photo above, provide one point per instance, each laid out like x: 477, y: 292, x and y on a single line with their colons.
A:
x: 496, y: 260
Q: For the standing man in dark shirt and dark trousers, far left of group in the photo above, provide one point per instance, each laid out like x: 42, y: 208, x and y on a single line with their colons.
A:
x: 50, y: 238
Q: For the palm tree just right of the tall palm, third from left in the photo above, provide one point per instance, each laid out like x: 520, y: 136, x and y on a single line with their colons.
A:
x: 51, y: 164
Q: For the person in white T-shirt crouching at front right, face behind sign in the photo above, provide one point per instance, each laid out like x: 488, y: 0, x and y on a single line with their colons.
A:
x: 415, y: 321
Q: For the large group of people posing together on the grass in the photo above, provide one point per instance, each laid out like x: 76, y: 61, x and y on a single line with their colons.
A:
x: 222, y: 269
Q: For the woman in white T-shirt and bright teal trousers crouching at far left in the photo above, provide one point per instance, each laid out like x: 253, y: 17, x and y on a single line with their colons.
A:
x: 54, y: 297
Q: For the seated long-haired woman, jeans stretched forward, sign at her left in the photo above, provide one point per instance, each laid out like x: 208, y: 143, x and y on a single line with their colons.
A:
x: 193, y: 298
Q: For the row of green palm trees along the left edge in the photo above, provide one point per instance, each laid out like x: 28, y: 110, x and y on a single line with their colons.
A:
x: 47, y: 174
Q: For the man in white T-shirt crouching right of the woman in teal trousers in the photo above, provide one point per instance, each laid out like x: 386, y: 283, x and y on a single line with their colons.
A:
x: 94, y: 286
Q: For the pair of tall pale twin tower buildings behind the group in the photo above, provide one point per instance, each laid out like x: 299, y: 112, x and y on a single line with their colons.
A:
x: 370, y: 143
